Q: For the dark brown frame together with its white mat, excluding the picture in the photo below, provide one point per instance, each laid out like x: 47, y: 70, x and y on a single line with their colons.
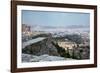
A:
x: 16, y: 27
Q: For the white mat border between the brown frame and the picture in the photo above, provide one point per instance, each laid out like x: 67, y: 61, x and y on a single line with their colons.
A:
x: 55, y: 63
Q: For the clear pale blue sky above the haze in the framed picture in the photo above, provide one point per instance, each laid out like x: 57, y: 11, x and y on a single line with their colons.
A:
x: 55, y: 18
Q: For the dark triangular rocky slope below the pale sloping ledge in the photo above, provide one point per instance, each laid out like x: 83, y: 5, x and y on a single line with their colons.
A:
x: 42, y: 47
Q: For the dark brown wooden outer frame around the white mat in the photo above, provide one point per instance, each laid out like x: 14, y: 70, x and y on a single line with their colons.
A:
x: 45, y: 4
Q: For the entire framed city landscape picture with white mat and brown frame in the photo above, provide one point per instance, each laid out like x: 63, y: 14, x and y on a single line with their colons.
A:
x: 52, y: 36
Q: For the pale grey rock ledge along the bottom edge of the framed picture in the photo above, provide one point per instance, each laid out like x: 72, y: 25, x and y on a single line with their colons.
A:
x: 42, y: 58
